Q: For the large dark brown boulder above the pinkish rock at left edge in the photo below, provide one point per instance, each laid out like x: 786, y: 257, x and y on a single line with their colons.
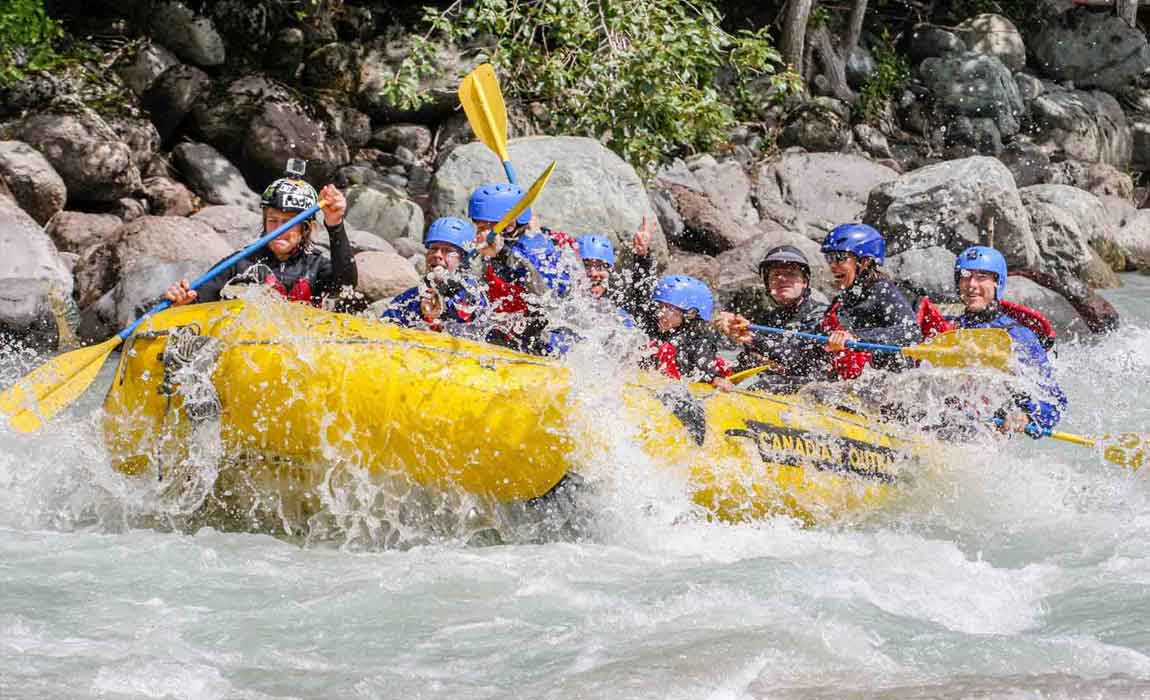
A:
x: 96, y: 165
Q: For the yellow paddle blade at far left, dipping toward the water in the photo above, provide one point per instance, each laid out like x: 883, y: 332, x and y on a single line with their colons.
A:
x: 50, y: 388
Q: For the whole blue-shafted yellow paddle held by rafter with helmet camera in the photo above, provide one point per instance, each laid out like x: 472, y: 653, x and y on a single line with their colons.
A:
x: 49, y: 389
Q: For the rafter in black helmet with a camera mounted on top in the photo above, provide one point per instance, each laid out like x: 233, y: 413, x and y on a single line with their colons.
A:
x: 289, y: 264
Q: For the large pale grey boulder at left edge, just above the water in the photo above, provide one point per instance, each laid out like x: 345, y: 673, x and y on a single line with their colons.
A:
x: 32, y: 275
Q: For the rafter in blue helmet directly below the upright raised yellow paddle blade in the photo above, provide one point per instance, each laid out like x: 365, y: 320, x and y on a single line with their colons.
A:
x: 525, y: 271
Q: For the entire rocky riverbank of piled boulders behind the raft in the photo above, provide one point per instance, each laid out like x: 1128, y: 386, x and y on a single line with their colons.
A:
x: 142, y: 163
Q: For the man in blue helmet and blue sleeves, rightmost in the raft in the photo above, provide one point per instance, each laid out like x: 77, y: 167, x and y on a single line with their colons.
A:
x: 980, y: 275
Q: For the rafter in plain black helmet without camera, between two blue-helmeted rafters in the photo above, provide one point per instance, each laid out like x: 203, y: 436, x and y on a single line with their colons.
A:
x: 787, y: 275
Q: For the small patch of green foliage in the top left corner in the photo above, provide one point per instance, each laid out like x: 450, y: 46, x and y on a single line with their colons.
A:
x: 28, y: 39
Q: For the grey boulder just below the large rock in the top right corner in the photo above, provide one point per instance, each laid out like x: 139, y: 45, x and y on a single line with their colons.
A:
x: 1083, y: 126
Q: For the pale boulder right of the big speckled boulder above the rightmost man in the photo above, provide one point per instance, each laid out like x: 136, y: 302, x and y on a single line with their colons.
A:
x: 1064, y: 220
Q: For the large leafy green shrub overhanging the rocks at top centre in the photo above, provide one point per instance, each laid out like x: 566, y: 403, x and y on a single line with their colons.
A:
x: 641, y: 75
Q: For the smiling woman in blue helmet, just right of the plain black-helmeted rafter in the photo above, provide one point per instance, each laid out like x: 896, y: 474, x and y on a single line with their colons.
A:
x: 870, y: 307
